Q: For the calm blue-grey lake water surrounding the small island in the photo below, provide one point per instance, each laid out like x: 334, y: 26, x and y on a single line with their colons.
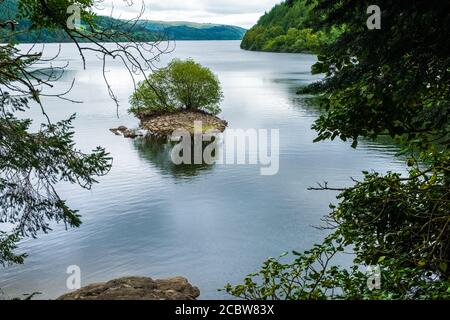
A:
x: 212, y: 225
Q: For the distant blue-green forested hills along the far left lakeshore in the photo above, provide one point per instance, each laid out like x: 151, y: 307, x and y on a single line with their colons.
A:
x: 143, y: 31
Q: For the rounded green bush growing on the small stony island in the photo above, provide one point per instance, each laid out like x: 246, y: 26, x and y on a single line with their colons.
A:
x: 182, y: 85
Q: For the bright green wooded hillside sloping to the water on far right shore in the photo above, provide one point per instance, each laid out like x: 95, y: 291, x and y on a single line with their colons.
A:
x: 288, y: 28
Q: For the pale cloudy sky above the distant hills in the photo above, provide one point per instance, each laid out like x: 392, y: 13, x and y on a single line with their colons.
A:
x: 244, y: 13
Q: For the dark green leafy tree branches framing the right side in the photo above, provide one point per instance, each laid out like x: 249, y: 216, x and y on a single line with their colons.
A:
x: 391, y: 82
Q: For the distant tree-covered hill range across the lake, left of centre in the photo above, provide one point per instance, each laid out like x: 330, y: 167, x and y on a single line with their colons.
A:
x: 142, y: 30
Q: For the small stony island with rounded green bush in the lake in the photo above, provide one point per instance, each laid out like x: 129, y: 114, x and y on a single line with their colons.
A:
x: 175, y: 98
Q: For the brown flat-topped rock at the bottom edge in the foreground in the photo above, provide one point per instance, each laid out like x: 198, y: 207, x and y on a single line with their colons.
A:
x: 137, y: 288
